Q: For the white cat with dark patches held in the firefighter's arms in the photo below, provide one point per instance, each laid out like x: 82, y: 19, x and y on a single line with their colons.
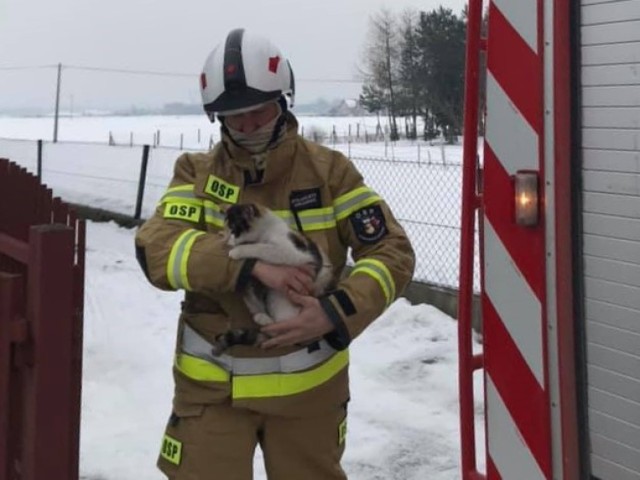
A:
x: 257, y: 232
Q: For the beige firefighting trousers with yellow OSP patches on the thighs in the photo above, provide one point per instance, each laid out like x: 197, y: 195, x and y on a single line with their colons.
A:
x: 217, y: 442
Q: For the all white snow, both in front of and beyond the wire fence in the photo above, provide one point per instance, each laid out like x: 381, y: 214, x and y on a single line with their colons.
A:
x: 403, y: 418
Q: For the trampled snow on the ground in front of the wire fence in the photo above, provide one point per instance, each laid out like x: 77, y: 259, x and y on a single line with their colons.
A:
x: 403, y: 417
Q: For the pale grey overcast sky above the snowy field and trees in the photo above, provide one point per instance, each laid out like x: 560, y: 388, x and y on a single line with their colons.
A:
x: 324, y: 40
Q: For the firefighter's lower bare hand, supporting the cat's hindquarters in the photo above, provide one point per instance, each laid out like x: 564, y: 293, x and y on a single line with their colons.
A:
x: 310, y: 324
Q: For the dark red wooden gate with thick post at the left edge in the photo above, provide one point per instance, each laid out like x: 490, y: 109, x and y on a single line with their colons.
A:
x: 42, y: 249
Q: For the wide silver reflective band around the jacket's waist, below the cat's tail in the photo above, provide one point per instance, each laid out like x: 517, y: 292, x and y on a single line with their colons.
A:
x: 193, y: 344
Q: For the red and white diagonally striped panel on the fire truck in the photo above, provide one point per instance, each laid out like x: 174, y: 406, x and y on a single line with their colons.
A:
x: 513, y: 297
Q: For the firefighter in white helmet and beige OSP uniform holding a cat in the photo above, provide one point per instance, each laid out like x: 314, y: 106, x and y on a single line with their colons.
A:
x: 289, y: 399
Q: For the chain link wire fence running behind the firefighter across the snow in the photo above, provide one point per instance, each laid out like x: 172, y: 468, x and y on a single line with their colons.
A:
x: 422, y: 183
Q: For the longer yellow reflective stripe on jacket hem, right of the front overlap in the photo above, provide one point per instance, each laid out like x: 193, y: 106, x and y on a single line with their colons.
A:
x: 281, y: 384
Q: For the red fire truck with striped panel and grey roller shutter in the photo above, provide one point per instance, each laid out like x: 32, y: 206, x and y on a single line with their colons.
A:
x: 557, y: 211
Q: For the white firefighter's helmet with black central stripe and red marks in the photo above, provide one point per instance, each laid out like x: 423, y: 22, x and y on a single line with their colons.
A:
x: 245, y: 73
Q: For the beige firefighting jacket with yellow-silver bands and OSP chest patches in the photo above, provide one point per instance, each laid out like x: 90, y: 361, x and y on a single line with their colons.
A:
x: 182, y: 246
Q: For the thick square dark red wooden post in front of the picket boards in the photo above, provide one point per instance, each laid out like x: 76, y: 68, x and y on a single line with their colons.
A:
x: 48, y: 387
